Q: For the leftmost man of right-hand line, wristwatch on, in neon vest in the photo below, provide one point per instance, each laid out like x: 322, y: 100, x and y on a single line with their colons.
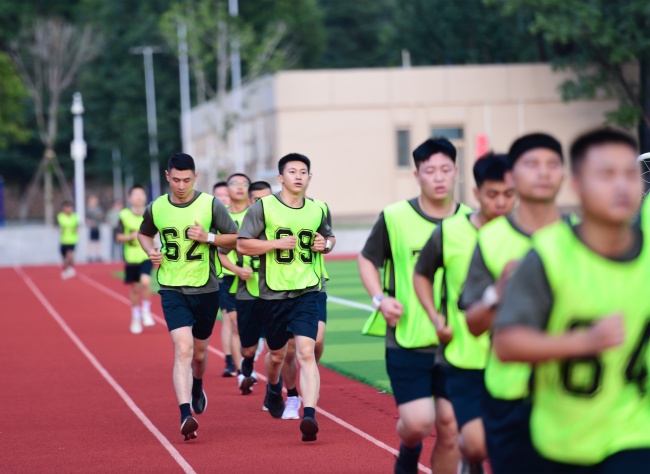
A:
x: 411, y: 341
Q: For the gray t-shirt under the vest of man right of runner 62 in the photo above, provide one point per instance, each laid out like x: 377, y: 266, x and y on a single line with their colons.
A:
x: 254, y: 227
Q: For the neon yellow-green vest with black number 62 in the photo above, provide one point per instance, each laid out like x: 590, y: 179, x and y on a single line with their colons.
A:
x: 185, y: 261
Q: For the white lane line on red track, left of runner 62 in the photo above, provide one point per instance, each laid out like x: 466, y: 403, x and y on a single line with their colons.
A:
x: 107, y: 376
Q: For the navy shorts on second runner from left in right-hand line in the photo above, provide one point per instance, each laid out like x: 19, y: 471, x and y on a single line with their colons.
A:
x: 466, y: 390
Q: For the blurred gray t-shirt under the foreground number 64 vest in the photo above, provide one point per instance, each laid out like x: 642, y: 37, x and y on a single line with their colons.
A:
x: 528, y: 300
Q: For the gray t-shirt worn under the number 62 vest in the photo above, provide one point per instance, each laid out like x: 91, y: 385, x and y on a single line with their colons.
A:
x: 221, y: 222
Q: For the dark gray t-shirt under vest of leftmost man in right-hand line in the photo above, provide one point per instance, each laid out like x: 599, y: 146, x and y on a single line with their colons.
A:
x: 377, y: 250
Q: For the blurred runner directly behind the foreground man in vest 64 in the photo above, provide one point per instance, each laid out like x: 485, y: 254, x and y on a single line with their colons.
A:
x: 537, y: 172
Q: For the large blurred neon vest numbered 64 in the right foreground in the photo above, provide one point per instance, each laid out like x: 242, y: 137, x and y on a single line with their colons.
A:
x: 588, y: 408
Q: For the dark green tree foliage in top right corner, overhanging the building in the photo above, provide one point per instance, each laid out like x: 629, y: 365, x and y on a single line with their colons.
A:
x: 605, y: 43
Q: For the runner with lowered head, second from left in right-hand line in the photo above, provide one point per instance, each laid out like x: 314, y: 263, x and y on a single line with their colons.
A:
x: 450, y: 248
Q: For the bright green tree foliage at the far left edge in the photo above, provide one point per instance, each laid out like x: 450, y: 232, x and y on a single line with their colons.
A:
x: 12, y: 96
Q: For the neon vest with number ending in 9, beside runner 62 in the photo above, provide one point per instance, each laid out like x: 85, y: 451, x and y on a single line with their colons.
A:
x: 292, y: 269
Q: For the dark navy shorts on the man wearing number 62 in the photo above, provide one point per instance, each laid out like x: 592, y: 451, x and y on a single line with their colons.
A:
x: 198, y: 311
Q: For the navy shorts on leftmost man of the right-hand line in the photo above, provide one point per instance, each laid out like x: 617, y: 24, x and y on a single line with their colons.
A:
x: 414, y: 375
